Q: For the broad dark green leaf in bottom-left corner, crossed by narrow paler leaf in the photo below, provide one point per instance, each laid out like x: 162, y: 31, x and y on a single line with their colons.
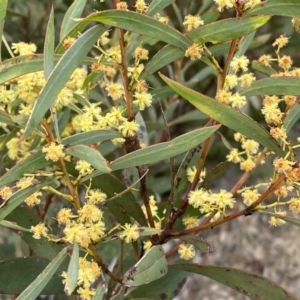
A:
x: 24, y: 271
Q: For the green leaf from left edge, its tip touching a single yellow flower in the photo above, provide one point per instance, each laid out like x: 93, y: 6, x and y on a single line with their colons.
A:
x: 30, y: 164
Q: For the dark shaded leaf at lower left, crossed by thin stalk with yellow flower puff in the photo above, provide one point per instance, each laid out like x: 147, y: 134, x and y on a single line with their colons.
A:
x: 42, y: 247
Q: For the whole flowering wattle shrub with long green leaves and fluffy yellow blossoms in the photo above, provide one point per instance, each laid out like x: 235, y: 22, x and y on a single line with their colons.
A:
x: 78, y: 141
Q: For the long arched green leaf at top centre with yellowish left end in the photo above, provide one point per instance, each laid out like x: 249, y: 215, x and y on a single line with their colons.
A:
x: 141, y: 24
